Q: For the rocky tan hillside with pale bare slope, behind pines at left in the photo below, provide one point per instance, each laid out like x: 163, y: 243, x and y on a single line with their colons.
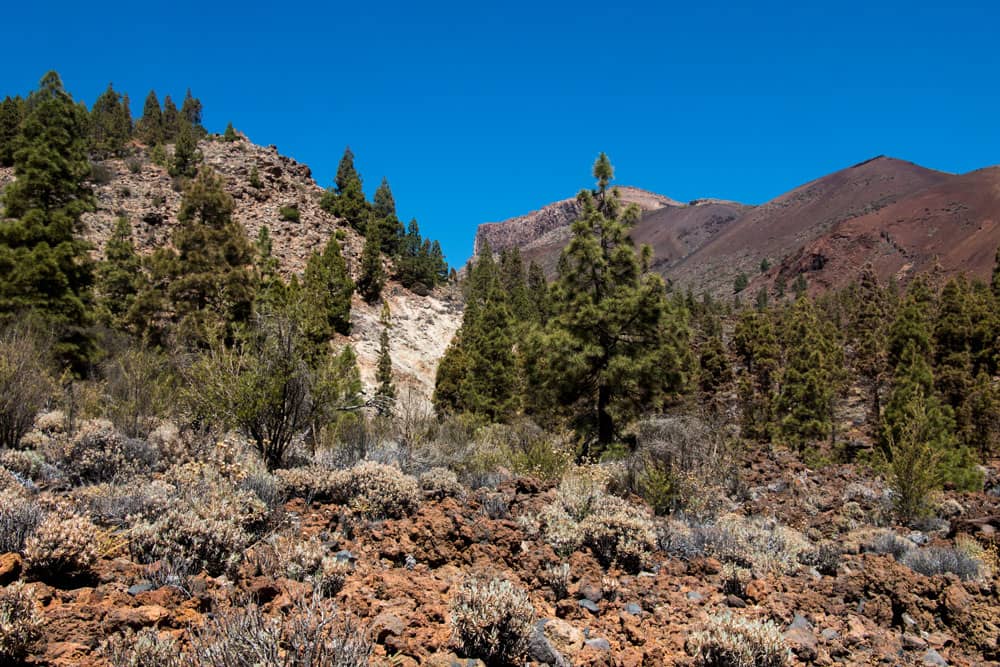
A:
x: 144, y: 192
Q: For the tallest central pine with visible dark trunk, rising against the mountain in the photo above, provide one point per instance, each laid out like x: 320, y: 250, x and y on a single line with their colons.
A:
x: 614, y: 346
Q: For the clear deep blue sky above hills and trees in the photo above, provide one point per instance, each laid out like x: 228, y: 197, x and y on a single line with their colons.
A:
x: 480, y: 111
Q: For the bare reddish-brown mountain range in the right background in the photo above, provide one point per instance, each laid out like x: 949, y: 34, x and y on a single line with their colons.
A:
x: 900, y: 216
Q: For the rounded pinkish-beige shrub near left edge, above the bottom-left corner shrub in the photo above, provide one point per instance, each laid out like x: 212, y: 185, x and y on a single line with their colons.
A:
x: 62, y: 545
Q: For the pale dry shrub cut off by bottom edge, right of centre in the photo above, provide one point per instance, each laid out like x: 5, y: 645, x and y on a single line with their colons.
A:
x: 733, y: 641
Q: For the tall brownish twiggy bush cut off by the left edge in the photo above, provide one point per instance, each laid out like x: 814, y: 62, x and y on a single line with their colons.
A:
x: 25, y: 385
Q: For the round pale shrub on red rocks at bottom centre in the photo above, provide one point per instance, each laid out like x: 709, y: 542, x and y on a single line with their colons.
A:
x: 492, y: 620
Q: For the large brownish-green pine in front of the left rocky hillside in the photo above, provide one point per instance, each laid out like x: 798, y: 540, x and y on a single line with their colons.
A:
x: 209, y: 285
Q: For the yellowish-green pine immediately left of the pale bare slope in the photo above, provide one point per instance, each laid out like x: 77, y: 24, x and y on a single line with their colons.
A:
x: 326, y: 295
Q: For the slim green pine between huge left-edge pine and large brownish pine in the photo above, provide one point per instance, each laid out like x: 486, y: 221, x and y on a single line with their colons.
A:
x: 119, y: 276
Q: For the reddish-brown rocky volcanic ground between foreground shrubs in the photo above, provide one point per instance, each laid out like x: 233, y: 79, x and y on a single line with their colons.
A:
x: 851, y: 606
